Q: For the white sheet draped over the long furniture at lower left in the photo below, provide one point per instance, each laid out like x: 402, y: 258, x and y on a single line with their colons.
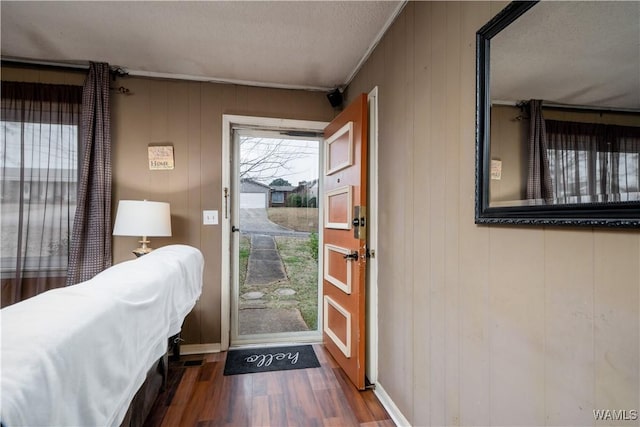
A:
x: 76, y: 356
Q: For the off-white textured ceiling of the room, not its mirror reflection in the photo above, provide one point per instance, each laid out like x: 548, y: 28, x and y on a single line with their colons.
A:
x: 299, y: 44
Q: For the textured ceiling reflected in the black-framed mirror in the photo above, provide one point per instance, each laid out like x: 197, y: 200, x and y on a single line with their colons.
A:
x: 582, y: 53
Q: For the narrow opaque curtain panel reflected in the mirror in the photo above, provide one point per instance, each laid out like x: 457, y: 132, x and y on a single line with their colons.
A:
x: 538, y: 179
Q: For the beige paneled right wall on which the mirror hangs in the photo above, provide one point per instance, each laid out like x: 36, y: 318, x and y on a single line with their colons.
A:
x: 484, y: 325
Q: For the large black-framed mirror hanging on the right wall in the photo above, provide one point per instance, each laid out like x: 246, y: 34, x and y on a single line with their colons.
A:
x: 573, y: 70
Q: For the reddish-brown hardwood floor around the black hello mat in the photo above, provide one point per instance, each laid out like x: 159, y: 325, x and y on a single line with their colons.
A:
x: 202, y: 396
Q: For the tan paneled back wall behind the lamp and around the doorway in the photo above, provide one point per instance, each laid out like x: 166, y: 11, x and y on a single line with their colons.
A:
x: 187, y: 115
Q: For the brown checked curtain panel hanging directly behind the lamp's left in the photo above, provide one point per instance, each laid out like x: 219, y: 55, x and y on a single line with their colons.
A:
x: 90, y: 250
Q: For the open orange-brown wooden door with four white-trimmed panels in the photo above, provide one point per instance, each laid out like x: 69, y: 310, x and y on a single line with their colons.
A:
x: 345, y: 257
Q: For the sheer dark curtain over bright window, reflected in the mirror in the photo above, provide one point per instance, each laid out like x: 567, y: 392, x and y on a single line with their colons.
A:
x: 601, y: 162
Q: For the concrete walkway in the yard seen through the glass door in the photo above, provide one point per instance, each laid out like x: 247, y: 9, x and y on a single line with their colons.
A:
x: 265, y: 268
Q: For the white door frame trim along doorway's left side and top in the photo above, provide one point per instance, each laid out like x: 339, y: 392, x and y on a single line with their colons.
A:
x: 229, y: 121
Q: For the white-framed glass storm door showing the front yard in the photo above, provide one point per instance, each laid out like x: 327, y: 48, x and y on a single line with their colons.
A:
x: 274, y: 215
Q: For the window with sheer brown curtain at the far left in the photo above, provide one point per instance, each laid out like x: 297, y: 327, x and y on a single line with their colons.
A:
x: 38, y: 171
